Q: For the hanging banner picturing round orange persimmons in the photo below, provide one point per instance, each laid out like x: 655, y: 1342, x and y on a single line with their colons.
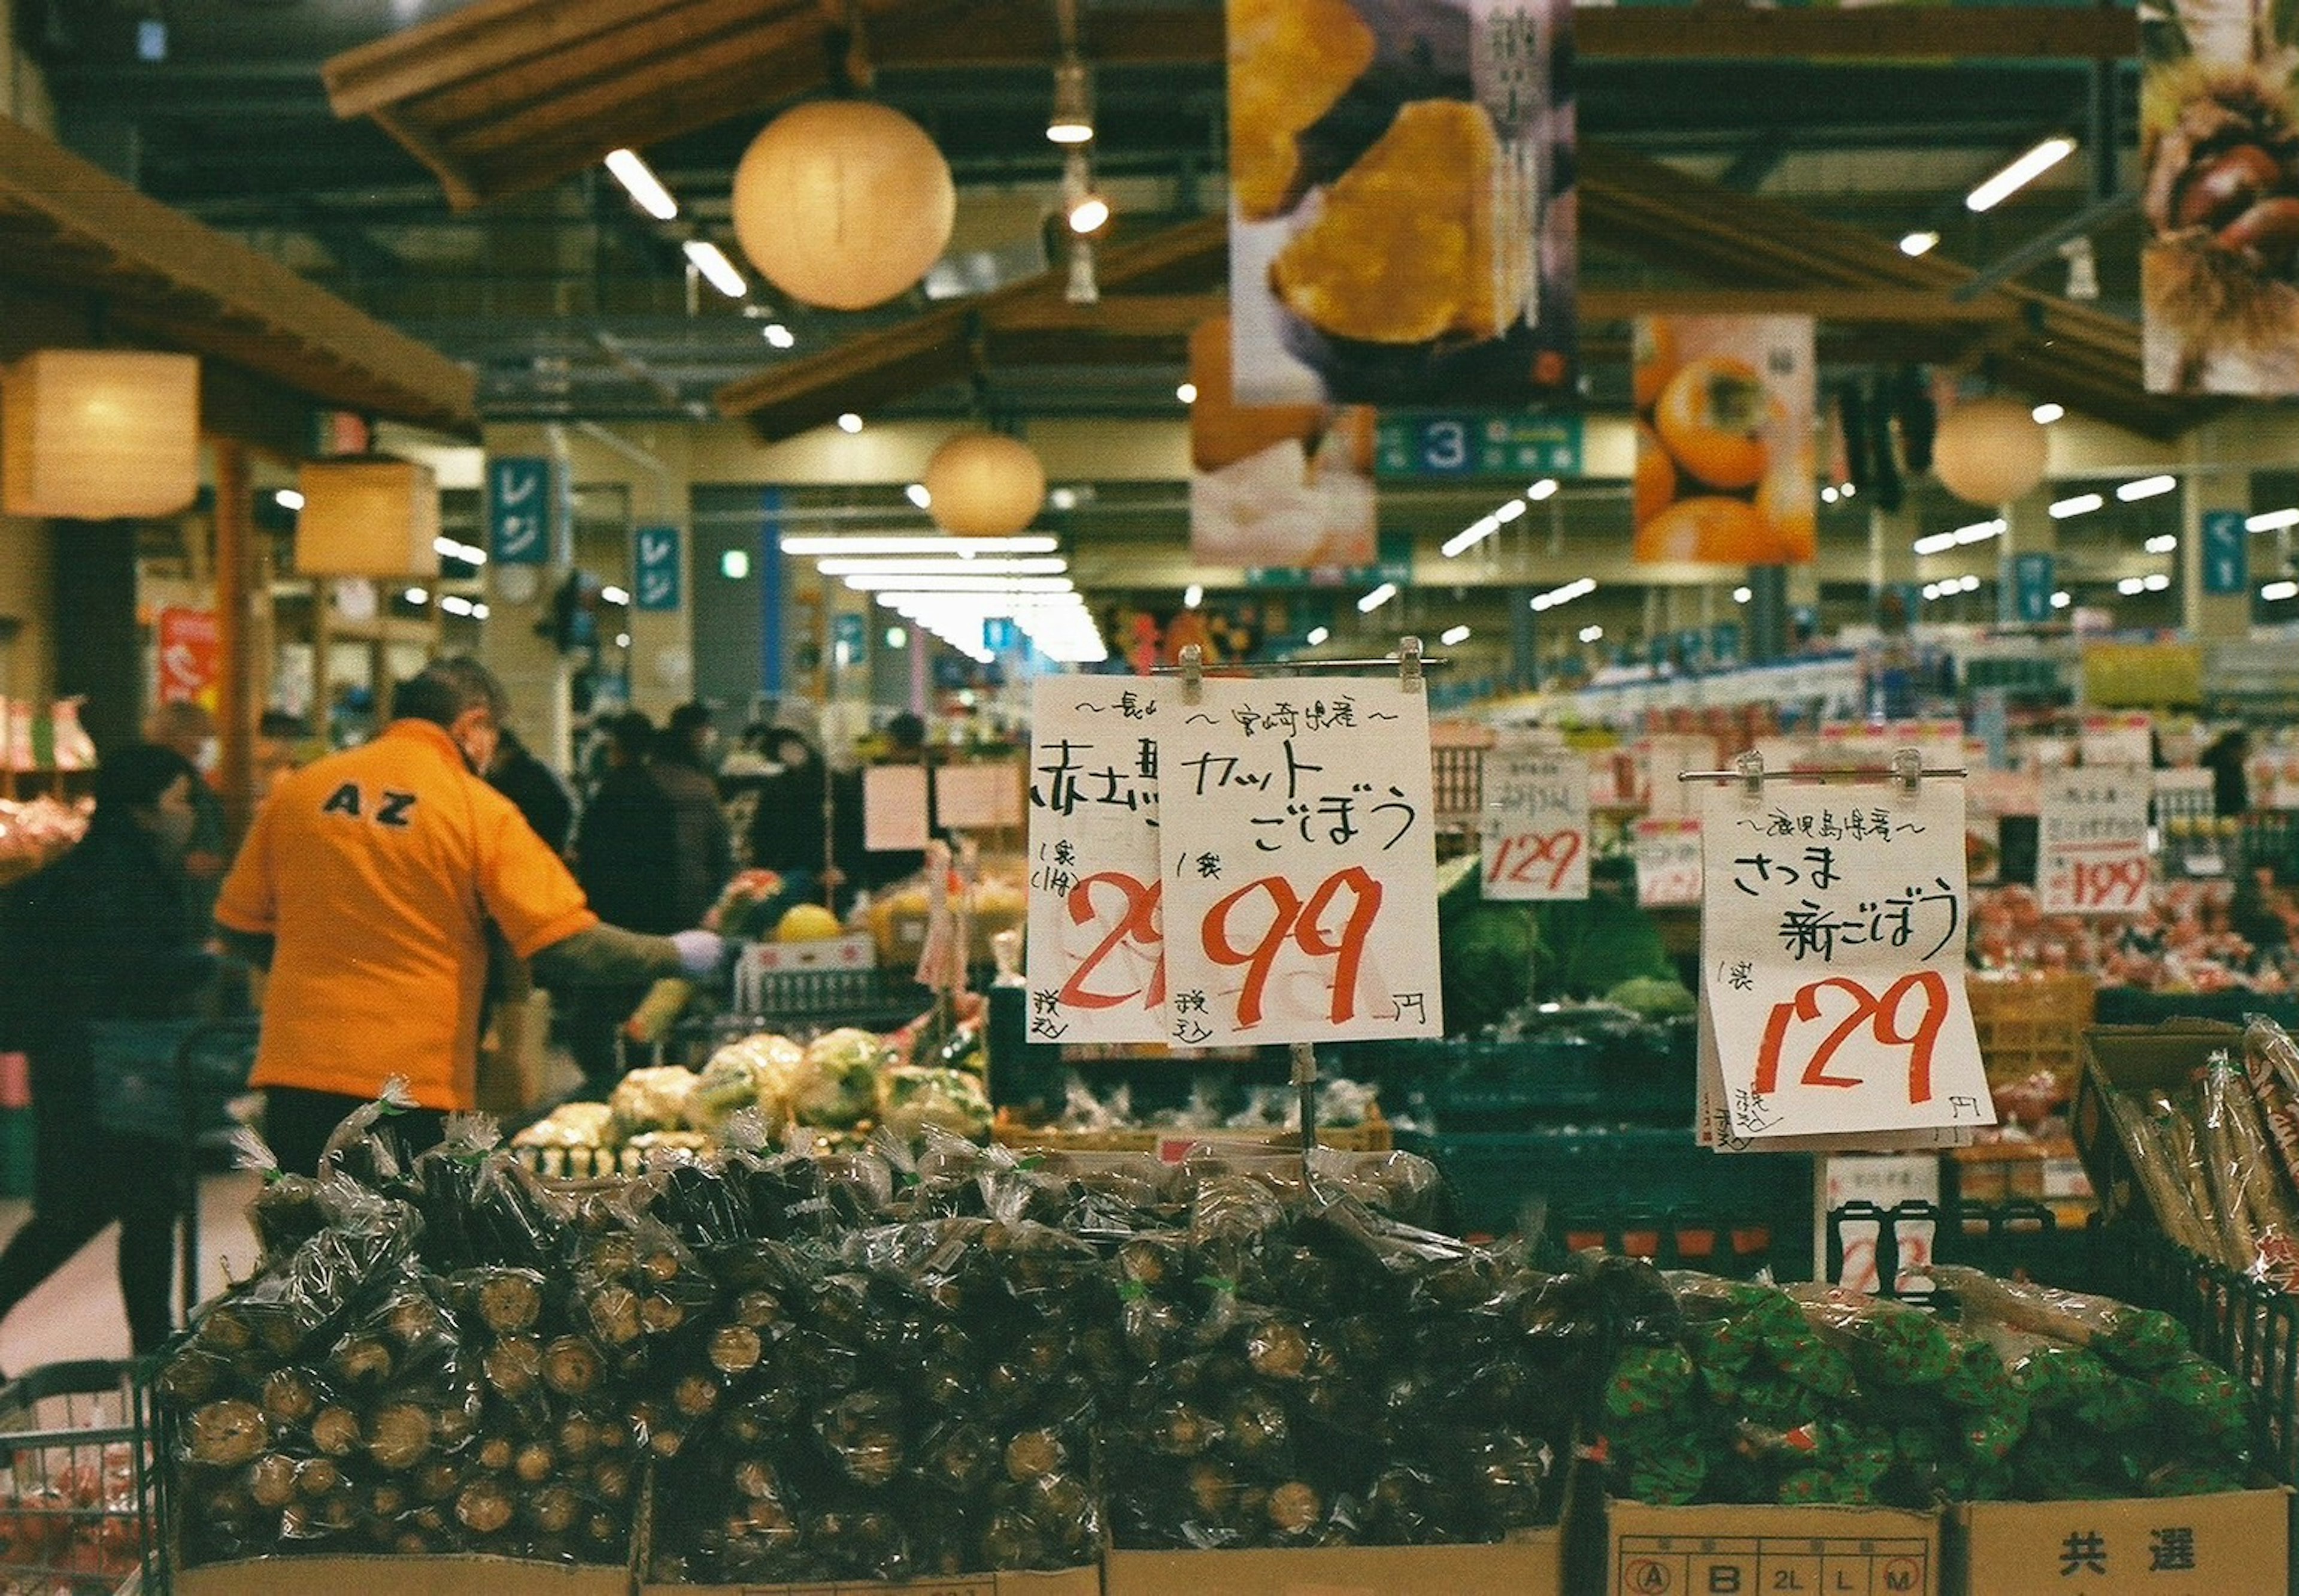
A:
x: 1725, y: 463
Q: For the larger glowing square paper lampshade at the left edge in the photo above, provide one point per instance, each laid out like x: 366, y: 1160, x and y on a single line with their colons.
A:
x: 100, y: 433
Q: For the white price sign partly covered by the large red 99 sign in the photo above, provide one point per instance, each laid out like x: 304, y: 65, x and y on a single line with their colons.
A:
x: 1095, y: 953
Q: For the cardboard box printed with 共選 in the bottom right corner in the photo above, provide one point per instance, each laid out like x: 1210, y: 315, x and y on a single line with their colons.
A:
x: 2160, y: 1547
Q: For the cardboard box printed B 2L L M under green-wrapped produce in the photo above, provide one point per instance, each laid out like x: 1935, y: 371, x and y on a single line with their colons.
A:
x: 1815, y: 1551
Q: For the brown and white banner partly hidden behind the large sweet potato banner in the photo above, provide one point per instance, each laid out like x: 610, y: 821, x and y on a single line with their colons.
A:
x: 1284, y: 486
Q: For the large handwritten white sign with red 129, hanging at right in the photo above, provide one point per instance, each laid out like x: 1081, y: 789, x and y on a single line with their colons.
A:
x: 1833, y: 935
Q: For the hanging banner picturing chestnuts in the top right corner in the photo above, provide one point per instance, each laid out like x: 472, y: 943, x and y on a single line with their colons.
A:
x: 2220, y: 158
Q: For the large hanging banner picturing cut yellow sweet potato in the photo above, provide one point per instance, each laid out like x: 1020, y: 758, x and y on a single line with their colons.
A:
x: 1399, y: 229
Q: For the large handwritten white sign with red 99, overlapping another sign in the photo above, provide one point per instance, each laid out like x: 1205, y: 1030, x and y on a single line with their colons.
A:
x: 1300, y: 864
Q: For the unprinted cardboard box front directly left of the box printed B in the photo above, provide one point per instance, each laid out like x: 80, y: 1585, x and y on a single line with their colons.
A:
x: 1525, y: 1567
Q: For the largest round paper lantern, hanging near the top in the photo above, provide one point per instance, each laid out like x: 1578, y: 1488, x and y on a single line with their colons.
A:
x: 843, y: 204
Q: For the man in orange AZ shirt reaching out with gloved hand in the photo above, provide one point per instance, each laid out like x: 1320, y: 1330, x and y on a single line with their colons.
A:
x: 367, y: 887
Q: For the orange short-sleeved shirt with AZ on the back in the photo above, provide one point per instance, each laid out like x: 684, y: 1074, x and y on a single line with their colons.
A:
x: 376, y: 873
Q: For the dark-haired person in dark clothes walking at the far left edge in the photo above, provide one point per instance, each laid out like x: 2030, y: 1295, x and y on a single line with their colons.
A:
x: 107, y: 933
